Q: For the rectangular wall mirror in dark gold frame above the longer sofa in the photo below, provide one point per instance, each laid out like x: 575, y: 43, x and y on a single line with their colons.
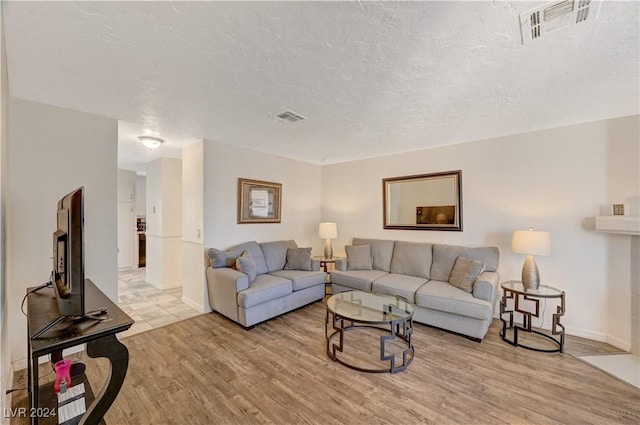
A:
x: 423, y: 202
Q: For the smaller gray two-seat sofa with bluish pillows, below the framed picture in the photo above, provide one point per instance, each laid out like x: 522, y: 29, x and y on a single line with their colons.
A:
x: 253, y: 282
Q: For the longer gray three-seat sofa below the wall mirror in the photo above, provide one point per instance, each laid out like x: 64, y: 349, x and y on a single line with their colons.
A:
x: 422, y: 273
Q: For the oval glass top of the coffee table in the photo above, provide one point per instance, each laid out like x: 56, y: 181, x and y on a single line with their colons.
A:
x: 369, y: 307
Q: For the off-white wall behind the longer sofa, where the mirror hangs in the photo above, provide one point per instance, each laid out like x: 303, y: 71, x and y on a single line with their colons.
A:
x: 551, y: 180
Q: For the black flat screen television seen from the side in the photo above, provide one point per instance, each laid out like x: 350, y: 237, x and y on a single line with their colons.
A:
x: 68, y: 254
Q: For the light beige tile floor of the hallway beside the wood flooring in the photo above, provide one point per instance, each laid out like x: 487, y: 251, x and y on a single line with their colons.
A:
x: 149, y: 306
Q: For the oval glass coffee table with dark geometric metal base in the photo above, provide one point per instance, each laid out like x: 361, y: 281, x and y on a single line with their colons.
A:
x: 358, y: 310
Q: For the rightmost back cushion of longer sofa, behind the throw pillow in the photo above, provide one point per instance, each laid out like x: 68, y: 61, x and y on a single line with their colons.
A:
x: 445, y: 256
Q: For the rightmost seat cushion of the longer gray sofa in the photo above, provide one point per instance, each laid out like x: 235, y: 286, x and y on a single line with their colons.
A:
x: 442, y: 296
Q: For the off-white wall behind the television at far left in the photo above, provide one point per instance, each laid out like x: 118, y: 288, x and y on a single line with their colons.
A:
x: 52, y: 151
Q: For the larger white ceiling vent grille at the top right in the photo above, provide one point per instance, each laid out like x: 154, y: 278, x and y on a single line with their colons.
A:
x: 551, y: 17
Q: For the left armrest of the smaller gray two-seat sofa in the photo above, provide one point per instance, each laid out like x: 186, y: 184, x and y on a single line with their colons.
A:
x: 224, y: 284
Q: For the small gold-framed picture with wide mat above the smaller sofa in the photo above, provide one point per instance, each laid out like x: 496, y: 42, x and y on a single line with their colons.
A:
x: 259, y: 201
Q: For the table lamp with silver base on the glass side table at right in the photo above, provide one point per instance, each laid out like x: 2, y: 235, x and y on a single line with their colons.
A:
x: 531, y: 243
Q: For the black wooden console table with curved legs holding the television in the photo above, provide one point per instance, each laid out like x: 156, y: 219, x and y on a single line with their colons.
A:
x: 101, y: 340
